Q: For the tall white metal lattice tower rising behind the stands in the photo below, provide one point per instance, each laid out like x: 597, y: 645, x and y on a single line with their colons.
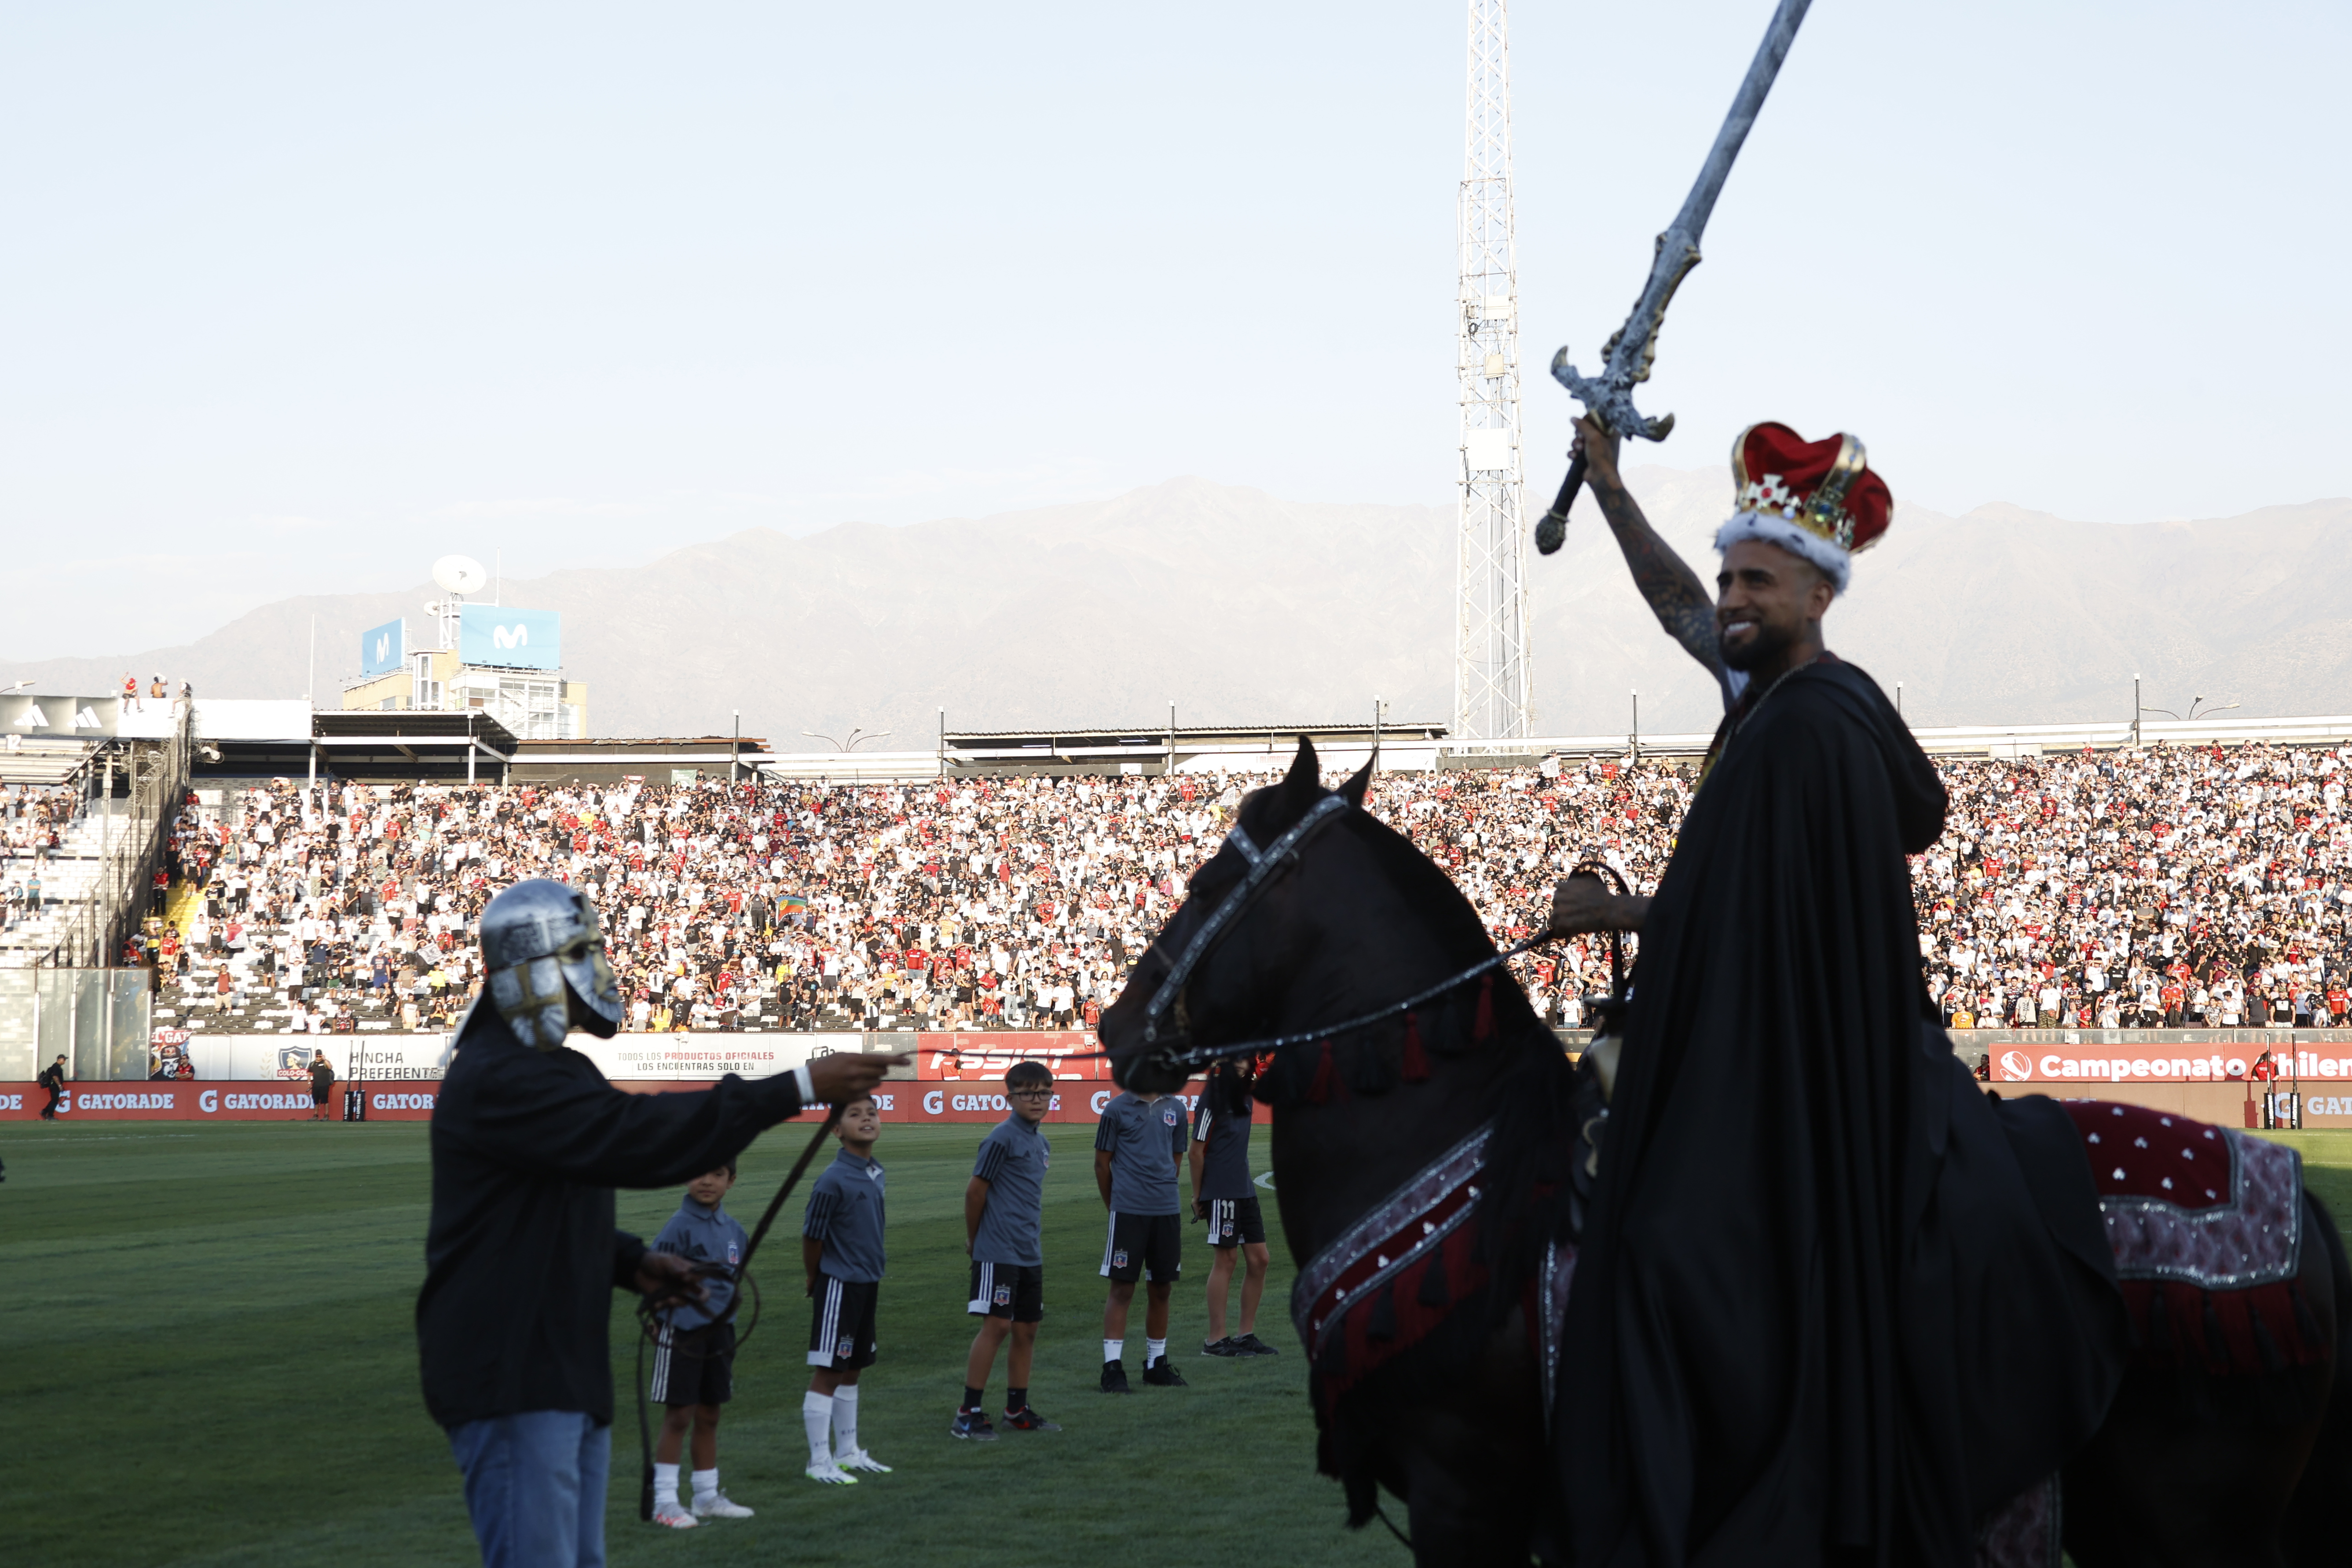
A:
x: 1492, y: 692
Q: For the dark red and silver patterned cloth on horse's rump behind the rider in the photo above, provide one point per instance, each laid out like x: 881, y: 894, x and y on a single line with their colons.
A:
x: 2207, y: 1233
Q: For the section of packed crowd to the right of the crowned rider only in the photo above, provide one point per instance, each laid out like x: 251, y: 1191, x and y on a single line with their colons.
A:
x: 2141, y: 890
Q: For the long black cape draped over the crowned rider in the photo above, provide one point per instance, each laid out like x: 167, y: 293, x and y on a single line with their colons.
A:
x: 1833, y: 1304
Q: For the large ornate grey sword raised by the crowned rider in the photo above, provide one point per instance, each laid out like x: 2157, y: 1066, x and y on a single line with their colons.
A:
x: 1629, y: 356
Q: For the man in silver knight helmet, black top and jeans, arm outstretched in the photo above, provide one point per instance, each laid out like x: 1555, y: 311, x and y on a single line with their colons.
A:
x: 523, y: 1254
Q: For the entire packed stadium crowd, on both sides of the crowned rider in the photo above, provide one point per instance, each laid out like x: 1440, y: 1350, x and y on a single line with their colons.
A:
x: 2172, y: 887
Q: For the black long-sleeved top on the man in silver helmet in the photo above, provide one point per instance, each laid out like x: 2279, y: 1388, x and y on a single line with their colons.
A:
x: 523, y: 1254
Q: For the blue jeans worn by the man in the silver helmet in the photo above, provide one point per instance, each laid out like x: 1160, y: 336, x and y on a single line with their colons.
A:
x: 535, y: 1487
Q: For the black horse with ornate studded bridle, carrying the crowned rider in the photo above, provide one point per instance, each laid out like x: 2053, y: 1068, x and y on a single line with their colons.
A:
x: 1429, y: 1167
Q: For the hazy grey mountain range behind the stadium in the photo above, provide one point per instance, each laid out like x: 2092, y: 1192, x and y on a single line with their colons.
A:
x: 1241, y: 608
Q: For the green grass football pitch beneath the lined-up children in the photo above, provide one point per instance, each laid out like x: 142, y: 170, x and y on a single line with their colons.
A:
x: 208, y: 1360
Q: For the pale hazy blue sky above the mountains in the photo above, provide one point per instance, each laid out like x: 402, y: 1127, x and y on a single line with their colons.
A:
x: 300, y: 297
